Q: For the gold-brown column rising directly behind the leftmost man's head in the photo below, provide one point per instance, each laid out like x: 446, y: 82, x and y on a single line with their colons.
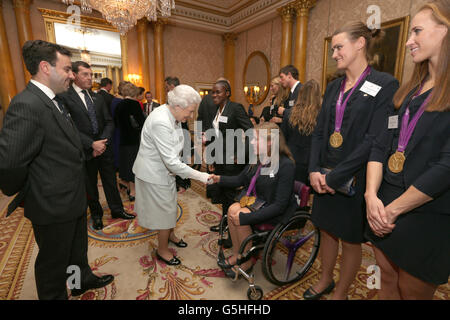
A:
x: 23, y: 21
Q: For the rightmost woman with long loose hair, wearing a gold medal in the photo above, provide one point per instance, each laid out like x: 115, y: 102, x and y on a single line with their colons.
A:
x: 408, y: 199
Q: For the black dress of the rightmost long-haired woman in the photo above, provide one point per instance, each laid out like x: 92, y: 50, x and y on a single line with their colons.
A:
x: 420, y: 241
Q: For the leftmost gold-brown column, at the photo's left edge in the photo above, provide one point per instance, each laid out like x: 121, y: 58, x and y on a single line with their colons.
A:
x: 7, y: 81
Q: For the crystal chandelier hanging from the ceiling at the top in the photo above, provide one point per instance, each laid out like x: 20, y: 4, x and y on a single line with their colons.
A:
x: 124, y: 14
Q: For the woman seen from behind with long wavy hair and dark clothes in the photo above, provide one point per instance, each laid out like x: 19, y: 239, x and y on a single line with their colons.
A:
x: 298, y: 125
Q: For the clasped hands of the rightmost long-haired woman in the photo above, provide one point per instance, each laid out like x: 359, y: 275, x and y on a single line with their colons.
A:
x: 380, y: 218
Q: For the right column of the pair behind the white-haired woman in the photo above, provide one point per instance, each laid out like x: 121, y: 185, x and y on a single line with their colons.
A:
x: 158, y: 28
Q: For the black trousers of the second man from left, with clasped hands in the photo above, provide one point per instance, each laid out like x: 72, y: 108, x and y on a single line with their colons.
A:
x: 104, y: 165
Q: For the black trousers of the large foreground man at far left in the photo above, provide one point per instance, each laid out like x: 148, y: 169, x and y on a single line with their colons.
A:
x: 60, y: 246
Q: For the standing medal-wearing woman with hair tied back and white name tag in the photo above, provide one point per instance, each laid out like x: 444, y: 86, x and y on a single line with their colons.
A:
x: 354, y: 109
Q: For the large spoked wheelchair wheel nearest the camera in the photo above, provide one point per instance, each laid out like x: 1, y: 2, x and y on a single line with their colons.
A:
x: 291, y: 250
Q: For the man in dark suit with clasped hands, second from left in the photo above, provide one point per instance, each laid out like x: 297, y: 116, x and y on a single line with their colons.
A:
x: 93, y: 120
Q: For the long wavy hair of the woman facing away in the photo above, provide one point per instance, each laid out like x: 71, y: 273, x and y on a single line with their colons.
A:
x: 304, y: 114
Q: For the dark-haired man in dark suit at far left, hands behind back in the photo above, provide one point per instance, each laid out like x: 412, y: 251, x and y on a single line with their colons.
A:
x: 41, y: 158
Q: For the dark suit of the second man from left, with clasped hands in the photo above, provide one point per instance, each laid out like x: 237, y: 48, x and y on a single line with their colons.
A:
x: 103, y: 163
